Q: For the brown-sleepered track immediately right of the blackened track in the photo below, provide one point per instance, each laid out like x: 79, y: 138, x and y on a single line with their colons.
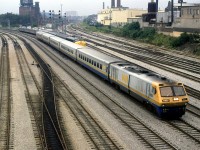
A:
x: 96, y: 134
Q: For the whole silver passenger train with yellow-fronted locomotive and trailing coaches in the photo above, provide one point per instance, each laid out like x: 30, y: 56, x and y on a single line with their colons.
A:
x: 165, y: 97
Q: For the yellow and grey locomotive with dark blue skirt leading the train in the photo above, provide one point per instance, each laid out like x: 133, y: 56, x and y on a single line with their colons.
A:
x: 165, y: 97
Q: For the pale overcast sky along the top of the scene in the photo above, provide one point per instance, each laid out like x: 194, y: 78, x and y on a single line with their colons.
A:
x: 83, y: 7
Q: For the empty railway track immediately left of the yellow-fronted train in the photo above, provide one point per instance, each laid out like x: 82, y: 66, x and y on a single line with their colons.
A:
x: 144, y: 133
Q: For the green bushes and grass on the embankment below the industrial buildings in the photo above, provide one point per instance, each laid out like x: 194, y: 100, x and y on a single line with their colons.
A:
x: 149, y: 35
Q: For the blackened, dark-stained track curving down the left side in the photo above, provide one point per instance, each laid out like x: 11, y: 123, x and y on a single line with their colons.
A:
x: 52, y: 132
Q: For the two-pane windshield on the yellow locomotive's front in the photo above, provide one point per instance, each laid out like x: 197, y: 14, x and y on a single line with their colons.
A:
x: 172, y: 91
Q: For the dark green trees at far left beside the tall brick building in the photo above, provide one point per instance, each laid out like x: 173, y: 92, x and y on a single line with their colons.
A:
x: 15, y: 20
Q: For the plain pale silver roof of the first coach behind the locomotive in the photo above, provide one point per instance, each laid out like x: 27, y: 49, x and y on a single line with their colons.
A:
x: 98, y: 55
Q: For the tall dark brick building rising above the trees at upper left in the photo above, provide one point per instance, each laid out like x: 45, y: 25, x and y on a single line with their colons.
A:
x: 28, y: 9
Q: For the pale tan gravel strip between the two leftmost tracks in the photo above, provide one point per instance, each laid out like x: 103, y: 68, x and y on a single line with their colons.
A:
x: 22, y: 131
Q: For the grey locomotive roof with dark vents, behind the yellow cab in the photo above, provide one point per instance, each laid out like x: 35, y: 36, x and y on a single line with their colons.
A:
x: 142, y: 73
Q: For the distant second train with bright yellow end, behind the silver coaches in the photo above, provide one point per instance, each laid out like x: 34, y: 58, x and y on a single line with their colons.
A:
x: 61, y: 35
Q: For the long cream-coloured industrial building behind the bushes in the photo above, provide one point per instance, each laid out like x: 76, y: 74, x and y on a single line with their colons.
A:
x: 119, y: 16
